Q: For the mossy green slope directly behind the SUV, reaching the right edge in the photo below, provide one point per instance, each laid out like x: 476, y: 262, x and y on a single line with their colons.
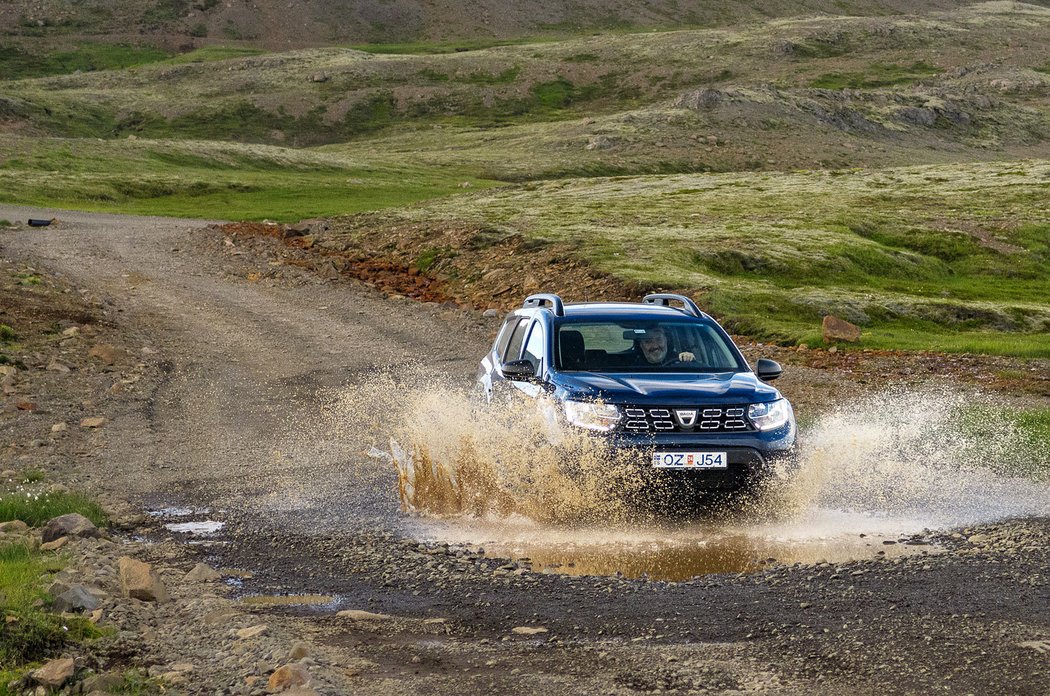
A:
x: 950, y: 258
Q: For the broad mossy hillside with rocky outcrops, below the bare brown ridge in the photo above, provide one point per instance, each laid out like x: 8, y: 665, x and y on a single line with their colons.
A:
x: 869, y: 80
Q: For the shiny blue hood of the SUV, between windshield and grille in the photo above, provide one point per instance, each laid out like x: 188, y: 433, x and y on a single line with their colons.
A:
x: 668, y: 389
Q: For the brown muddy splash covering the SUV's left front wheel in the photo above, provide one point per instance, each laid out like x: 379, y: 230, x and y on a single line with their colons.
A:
x: 459, y: 456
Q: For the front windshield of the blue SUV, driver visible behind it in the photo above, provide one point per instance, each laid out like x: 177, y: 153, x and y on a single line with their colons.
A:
x: 623, y: 346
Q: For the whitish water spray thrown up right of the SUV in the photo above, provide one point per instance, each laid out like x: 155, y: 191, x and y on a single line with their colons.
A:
x: 936, y: 458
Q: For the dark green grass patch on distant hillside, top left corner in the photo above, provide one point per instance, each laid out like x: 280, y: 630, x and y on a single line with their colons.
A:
x: 16, y: 64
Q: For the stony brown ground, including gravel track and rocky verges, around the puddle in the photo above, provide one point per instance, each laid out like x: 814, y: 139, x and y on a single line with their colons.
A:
x: 163, y: 366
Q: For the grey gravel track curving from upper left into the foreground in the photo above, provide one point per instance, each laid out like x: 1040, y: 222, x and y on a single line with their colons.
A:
x: 228, y: 419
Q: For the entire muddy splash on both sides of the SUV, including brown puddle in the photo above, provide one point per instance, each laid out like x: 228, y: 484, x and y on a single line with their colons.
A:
x: 508, y: 478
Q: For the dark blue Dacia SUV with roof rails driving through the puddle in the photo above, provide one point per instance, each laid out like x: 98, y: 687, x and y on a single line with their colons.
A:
x: 660, y: 376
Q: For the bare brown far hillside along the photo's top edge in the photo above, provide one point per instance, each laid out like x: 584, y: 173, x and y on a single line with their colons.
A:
x: 321, y: 23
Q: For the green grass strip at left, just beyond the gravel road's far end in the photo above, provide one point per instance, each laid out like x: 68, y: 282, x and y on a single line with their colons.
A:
x: 214, y: 181
